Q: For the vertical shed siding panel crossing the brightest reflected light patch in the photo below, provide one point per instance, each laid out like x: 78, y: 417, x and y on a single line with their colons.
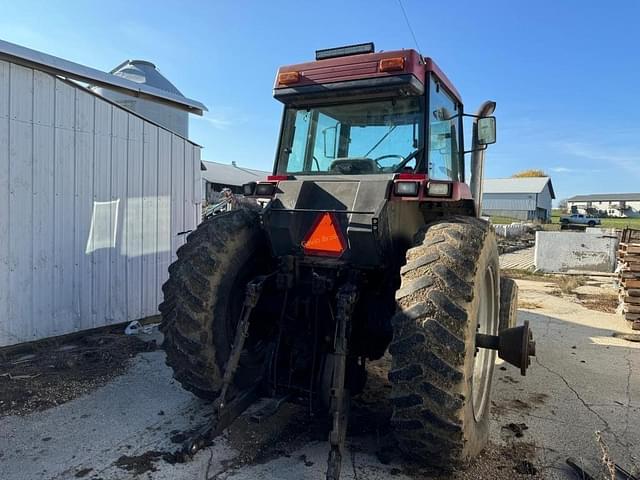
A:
x: 103, y: 216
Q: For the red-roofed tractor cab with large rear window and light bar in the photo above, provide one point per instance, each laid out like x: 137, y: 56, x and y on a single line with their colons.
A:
x: 374, y: 141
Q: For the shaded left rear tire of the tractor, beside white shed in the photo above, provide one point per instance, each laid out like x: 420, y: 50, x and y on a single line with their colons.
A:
x: 203, y: 299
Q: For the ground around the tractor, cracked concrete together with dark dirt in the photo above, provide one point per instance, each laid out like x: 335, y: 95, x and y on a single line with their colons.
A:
x: 106, y: 408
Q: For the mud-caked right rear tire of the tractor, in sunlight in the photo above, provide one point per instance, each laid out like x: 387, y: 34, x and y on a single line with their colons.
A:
x: 440, y: 383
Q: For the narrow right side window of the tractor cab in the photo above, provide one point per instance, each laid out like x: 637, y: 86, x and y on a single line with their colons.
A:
x: 445, y: 160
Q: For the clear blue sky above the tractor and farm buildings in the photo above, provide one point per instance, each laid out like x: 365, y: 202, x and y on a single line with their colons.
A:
x: 565, y: 74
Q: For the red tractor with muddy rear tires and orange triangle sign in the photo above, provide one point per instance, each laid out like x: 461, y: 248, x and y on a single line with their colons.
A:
x: 370, y: 242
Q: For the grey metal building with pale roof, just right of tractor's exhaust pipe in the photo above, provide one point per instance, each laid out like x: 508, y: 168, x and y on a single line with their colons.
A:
x: 527, y: 198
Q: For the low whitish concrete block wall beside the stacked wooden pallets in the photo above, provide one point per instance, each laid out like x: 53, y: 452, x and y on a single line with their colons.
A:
x: 593, y: 251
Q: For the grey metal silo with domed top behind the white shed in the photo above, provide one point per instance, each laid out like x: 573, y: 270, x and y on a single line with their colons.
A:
x: 141, y: 71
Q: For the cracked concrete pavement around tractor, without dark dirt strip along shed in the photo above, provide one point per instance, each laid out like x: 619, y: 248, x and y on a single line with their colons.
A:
x: 582, y: 381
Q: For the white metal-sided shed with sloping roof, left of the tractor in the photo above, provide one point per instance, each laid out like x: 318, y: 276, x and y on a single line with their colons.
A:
x: 93, y: 199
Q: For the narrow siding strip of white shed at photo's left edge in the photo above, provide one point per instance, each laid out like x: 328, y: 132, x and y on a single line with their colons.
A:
x: 5, y: 338
